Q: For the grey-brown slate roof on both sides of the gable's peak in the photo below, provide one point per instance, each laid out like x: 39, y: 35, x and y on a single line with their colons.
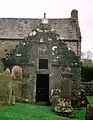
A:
x: 21, y: 27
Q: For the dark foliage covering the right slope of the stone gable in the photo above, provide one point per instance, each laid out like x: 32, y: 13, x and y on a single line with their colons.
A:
x: 66, y: 58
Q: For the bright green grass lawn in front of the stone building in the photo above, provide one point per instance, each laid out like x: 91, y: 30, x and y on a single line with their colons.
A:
x: 22, y: 111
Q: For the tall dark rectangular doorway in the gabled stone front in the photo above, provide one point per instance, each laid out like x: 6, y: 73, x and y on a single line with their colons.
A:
x: 42, y: 88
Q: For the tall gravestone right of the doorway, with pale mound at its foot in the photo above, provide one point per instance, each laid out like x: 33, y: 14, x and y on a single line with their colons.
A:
x: 63, y: 105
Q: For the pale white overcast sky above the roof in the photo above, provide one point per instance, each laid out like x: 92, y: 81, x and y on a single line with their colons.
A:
x: 53, y: 9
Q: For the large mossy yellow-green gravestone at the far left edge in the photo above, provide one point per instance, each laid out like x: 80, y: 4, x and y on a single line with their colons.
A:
x: 6, y: 87
